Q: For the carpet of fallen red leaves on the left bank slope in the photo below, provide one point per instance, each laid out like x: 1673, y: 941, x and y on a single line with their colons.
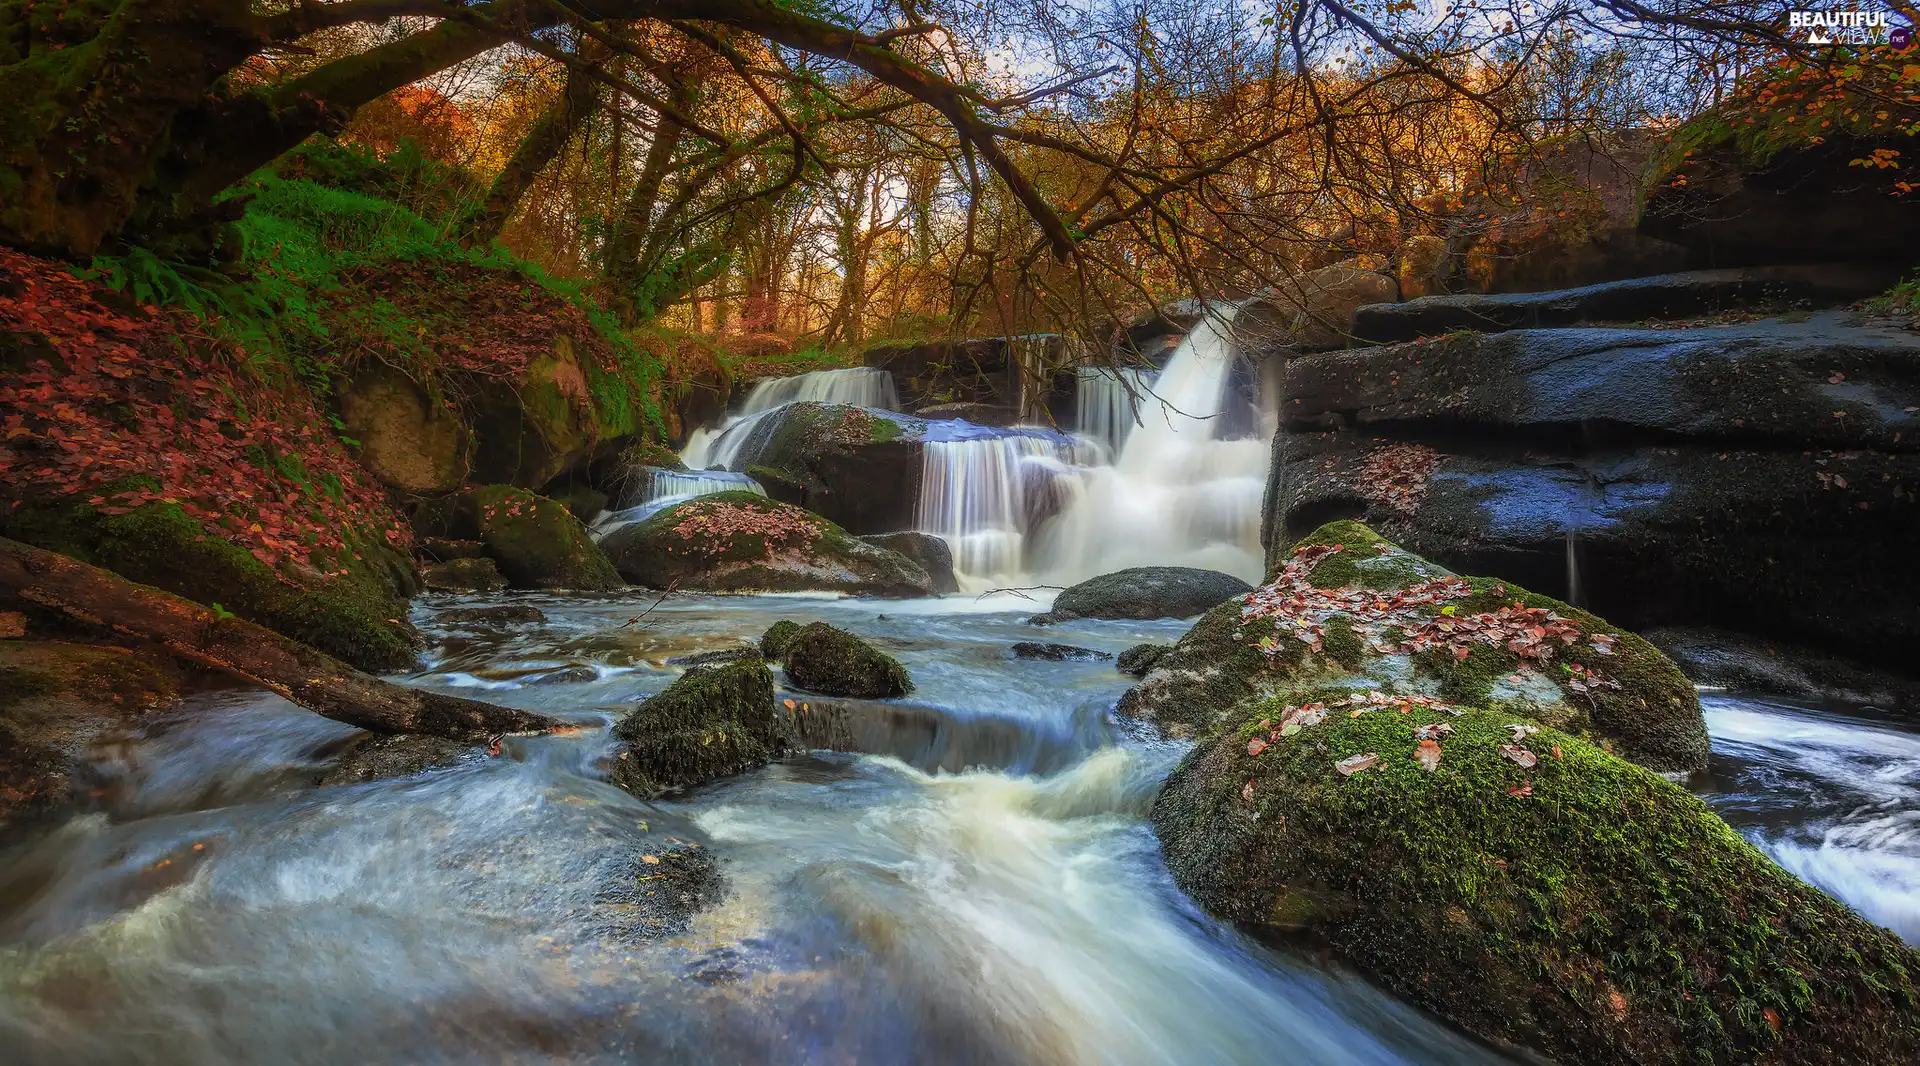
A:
x: 124, y: 406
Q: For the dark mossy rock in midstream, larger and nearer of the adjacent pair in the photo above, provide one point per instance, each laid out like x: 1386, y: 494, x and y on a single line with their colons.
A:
x: 711, y: 723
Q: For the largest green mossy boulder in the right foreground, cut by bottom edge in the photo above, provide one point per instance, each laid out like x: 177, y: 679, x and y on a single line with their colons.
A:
x: 1529, y: 888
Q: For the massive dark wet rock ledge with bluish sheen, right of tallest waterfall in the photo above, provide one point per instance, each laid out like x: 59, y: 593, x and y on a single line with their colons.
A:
x: 1762, y: 477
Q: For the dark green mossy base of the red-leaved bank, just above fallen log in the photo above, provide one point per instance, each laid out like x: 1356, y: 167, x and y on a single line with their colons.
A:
x: 356, y: 616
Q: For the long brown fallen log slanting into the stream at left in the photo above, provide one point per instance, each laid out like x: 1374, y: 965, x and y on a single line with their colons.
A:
x: 256, y: 654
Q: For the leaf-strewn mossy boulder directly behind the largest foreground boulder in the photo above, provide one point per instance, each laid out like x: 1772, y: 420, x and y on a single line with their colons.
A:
x: 1358, y: 612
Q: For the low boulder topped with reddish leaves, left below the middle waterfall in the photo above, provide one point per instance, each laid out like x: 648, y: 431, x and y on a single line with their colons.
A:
x: 744, y: 543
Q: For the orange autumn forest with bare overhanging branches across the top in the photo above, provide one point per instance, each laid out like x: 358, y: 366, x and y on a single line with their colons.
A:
x: 815, y: 178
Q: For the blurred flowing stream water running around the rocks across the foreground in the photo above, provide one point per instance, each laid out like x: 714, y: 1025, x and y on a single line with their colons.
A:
x: 980, y: 888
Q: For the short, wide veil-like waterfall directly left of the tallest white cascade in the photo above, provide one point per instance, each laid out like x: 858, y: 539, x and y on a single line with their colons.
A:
x: 986, y: 495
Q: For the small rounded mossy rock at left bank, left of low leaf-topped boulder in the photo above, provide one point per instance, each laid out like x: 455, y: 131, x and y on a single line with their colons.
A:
x: 539, y: 543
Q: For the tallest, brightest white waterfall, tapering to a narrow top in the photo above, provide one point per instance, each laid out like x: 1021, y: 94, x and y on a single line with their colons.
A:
x: 1176, y: 497
